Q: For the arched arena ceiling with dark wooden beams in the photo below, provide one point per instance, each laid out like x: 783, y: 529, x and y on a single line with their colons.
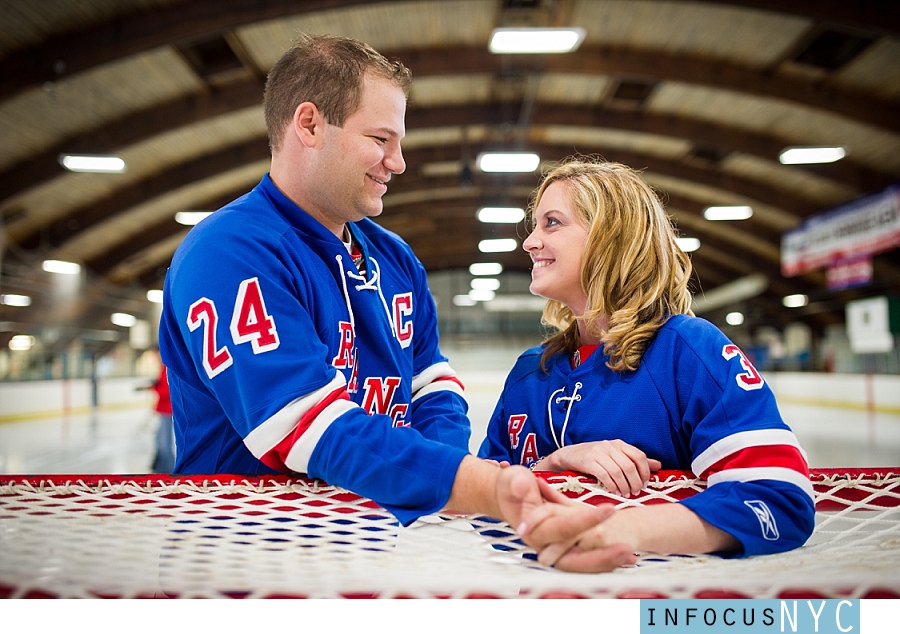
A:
x: 702, y: 96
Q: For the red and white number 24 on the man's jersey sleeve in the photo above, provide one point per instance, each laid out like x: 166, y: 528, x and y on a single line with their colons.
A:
x: 249, y: 323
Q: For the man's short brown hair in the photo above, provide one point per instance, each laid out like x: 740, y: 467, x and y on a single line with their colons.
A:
x: 327, y: 71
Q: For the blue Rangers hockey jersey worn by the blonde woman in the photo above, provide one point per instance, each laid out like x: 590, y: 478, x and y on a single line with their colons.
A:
x: 695, y: 402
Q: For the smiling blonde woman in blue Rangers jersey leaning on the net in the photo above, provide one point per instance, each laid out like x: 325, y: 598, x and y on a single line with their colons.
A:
x: 632, y: 382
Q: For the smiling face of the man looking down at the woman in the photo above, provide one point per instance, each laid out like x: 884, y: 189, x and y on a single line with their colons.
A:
x: 357, y: 160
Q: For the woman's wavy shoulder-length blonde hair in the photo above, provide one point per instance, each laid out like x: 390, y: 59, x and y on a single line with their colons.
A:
x: 632, y: 269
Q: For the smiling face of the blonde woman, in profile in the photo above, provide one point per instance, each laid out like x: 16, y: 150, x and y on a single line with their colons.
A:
x: 556, y: 246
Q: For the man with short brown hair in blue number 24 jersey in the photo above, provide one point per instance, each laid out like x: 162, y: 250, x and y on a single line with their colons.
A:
x: 301, y: 337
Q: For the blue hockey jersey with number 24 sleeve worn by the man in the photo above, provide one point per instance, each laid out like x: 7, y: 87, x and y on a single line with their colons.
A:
x: 283, y: 357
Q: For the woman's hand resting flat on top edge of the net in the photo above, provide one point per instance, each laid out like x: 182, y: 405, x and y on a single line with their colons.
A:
x: 622, y: 468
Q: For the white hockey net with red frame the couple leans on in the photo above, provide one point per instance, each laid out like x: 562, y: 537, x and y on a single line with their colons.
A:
x: 230, y: 536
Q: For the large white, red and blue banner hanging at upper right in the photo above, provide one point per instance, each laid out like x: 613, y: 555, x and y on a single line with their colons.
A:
x: 848, y: 233
